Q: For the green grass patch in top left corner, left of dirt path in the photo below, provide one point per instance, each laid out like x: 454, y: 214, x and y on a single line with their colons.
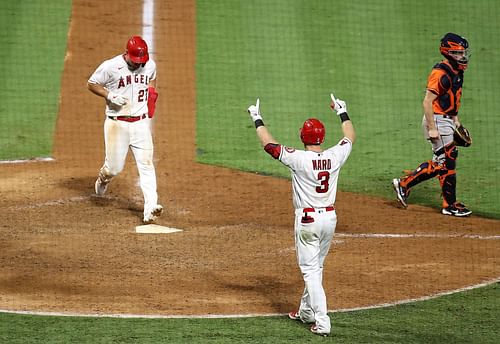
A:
x: 33, y: 38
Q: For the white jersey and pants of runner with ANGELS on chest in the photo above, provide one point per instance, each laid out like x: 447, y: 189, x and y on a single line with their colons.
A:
x: 121, y: 135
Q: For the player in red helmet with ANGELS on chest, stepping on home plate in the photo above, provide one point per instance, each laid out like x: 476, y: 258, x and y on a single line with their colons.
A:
x: 127, y: 82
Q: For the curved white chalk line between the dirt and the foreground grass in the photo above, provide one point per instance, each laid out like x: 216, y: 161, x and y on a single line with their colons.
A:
x: 253, y: 315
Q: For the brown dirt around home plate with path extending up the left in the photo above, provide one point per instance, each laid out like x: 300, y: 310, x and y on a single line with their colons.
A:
x: 63, y: 249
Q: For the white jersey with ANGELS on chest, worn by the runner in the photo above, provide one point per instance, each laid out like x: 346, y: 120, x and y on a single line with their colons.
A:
x: 116, y: 77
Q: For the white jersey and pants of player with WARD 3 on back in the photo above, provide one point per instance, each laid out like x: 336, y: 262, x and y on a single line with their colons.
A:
x: 314, y: 184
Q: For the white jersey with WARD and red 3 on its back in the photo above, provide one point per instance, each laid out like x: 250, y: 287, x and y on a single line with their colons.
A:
x: 314, y: 175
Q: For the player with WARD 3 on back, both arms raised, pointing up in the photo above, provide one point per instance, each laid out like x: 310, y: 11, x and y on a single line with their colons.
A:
x: 315, y: 173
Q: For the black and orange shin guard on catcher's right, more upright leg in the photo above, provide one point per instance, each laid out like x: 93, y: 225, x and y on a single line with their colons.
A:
x: 447, y: 176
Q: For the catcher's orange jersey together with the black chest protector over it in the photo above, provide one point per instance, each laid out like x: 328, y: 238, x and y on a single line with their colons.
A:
x: 446, y: 83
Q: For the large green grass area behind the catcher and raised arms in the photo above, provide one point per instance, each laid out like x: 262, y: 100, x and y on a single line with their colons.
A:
x: 374, y: 54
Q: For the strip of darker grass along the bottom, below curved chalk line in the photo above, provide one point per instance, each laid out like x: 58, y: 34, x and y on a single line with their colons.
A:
x: 469, y: 317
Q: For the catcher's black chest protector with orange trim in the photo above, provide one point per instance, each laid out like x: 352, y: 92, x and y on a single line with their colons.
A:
x: 452, y: 81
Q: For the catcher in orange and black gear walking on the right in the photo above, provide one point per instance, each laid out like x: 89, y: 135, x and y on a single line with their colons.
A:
x: 442, y: 127
